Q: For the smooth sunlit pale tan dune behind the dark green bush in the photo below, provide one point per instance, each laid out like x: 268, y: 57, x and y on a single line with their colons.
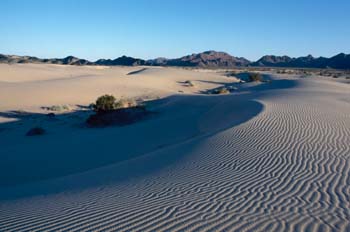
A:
x: 31, y: 86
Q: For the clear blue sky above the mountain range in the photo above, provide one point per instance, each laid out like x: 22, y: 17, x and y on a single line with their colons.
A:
x: 172, y: 28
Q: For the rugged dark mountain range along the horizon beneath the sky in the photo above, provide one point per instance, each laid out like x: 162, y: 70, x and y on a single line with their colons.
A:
x: 208, y: 59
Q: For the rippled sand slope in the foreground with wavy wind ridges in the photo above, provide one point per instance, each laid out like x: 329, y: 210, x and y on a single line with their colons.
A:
x: 288, y: 169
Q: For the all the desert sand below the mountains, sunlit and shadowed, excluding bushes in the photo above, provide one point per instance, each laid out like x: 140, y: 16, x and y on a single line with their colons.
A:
x: 268, y: 157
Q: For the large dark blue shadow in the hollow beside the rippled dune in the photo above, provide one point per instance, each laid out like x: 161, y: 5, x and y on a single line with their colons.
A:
x: 71, y: 157
